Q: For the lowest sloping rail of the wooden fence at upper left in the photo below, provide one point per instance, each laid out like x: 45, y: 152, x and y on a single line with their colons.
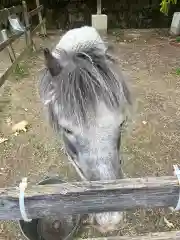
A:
x: 11, y: 68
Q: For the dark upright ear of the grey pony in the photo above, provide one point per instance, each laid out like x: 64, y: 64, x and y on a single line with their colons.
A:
x: 52, y: 63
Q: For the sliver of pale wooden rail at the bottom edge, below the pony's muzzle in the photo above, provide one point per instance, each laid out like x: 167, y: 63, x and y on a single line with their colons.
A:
x: 173, y: 235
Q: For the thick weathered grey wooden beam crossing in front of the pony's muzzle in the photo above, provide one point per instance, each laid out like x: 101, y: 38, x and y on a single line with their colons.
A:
x: 88, y: 197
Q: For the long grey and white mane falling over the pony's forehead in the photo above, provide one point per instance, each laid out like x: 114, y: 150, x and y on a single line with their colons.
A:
x: 85, y: 78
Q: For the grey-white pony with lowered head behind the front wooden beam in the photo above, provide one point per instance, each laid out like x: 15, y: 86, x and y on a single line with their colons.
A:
x: 85, y: 97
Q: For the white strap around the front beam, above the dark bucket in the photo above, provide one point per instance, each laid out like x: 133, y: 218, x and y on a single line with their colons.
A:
x: 22, y: 187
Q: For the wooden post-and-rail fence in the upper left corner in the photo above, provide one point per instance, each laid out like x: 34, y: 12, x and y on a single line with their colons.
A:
x: 29, y: 33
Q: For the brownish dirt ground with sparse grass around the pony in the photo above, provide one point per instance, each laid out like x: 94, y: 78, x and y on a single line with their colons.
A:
x: 151, y: 139
